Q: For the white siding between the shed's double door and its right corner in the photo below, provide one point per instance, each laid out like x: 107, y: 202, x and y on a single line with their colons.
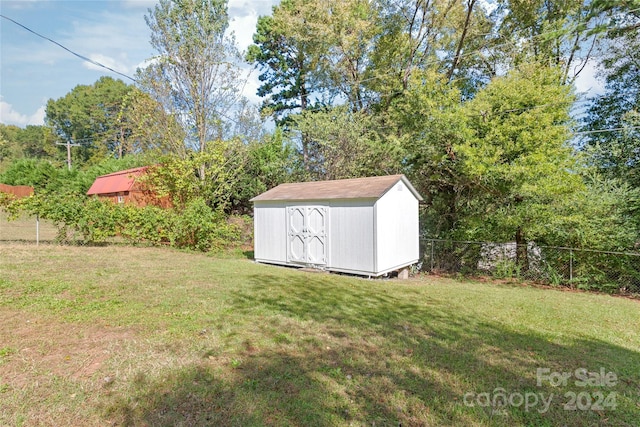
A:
x: 351, y: 239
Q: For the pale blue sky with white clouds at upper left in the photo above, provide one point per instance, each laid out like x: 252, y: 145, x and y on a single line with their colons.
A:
x: 114, y: 33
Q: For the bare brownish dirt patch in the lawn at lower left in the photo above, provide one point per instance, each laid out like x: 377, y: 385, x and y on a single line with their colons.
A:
x: 36, y: 347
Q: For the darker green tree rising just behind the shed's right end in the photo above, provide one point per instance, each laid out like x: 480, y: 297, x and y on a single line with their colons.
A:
x: 423, y: 130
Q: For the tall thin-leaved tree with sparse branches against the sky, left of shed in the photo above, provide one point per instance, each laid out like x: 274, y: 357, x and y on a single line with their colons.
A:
x: 196, y: 73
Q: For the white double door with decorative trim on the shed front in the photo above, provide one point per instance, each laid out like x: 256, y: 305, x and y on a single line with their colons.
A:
x: 307, y: 235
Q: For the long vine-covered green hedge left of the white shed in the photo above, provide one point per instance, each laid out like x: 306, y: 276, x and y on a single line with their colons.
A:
x: 92, y: 221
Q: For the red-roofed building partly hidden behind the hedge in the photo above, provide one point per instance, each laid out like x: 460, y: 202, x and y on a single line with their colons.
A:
x: 126, y: 187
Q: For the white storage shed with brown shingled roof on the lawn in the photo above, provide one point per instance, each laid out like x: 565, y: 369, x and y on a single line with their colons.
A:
x: 365, y: 226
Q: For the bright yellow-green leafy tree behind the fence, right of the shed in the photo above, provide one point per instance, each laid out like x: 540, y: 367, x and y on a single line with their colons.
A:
x: 518, y: 158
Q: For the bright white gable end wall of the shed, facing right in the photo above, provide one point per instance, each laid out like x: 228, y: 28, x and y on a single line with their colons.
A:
x: 397, y: 229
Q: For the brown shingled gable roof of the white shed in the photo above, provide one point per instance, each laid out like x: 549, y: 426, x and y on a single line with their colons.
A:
x: 356, y: 188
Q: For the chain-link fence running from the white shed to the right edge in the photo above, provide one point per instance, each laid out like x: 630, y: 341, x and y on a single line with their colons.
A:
x: 577, y: 268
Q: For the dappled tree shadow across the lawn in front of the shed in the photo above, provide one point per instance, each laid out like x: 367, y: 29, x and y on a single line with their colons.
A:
x: 347, y: 352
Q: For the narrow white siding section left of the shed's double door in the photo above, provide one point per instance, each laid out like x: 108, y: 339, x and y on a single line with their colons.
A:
x: 270, y: 233
